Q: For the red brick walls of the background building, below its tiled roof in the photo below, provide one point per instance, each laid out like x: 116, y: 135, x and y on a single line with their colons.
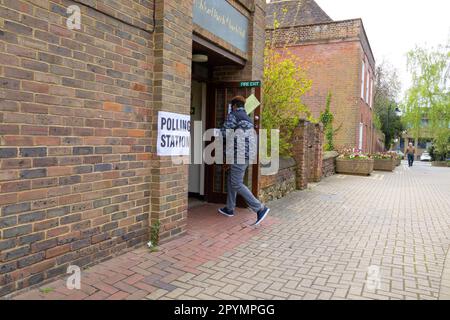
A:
x: 332, y: 55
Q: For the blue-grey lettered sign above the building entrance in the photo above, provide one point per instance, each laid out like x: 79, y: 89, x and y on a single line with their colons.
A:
x: 222, y: 19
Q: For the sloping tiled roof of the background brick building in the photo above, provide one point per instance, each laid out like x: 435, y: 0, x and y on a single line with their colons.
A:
x: 295, y: 13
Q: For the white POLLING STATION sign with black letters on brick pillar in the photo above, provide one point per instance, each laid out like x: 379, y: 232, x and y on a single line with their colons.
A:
x: 173, y: 134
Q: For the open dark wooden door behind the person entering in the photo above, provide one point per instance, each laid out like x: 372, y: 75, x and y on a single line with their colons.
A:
x: 219, y: 96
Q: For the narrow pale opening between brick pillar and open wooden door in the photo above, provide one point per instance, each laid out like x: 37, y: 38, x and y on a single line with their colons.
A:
x: 197, y: 171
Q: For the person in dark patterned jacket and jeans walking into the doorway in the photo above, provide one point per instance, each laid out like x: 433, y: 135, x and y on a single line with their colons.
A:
x: 243, y: 152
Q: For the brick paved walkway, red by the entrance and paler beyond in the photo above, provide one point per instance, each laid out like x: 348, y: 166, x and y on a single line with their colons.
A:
x: 317, y: 244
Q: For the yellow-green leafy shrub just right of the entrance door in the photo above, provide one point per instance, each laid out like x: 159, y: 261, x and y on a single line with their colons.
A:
x: 284, y: 83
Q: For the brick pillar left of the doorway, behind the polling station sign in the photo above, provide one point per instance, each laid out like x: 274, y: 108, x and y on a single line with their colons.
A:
x: 171, y: 92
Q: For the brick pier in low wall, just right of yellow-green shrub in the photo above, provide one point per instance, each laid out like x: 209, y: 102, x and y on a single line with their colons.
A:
x: 300, y: 146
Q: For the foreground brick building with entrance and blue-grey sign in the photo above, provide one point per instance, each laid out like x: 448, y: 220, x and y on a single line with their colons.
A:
x: 80, y: 176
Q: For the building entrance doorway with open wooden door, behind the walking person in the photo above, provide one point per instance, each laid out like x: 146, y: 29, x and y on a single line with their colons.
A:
x: 211, y: 94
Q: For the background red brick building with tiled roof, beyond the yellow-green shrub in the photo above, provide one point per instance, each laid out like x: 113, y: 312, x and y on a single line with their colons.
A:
x: 338, y: 59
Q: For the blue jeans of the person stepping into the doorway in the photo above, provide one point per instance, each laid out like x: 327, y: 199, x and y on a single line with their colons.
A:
x: 236, y: 186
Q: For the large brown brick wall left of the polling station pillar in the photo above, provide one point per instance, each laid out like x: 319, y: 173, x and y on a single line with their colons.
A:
x: 75, y: 135
